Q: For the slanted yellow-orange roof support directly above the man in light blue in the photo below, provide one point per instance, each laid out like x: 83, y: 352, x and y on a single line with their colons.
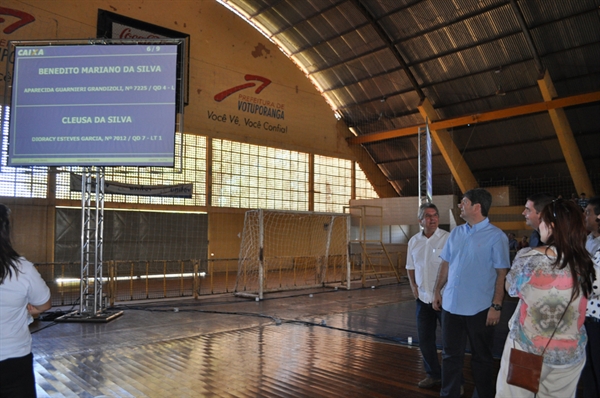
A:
x: 456, y: 163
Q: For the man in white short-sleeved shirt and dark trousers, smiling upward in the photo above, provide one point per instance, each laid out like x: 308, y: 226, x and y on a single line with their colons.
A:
x: 422, y: 265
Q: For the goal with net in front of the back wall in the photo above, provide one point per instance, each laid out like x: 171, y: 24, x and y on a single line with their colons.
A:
x: 285, y: 250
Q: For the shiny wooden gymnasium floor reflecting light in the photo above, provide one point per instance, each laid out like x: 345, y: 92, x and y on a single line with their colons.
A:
x: 335, y: 343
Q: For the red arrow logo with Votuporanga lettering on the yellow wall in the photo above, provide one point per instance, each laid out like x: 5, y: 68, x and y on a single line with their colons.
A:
x: 254, y: 105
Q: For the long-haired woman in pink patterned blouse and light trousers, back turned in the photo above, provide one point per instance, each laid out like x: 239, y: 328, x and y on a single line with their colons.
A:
x: 551, y: 280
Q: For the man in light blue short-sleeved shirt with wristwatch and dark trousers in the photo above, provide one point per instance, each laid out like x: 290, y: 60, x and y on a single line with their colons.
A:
x: 475, y: 261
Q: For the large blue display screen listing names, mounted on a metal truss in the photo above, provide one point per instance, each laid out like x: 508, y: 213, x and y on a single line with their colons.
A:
x: 93, y: 105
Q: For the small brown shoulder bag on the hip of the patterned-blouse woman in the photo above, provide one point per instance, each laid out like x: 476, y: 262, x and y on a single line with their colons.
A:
x: 525, y: 370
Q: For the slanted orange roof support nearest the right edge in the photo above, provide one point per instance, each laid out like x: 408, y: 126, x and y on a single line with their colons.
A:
x: 567, y: 142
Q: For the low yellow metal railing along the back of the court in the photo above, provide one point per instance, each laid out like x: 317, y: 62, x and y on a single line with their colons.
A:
x: 160, y: 279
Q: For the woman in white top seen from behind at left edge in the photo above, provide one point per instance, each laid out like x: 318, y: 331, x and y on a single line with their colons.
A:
x: 22, y: 293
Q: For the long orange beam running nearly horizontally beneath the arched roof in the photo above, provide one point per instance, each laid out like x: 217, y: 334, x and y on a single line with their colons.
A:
x: 545, y: 106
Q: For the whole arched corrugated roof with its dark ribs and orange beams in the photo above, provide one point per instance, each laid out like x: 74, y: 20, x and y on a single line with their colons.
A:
x: 511, y: 87
